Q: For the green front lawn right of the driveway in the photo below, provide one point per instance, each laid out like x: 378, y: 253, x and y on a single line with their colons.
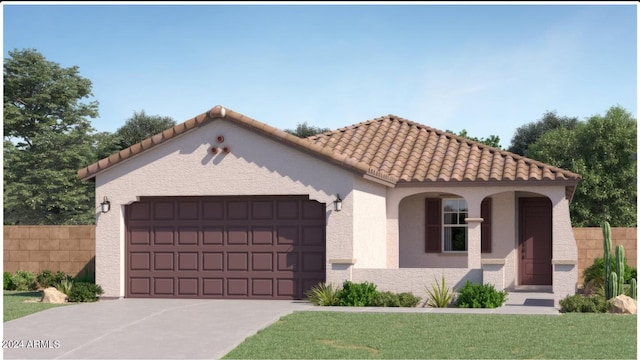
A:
x: 331, y: 335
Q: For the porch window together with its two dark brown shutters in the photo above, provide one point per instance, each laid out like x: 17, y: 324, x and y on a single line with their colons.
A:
x: 445, y: 228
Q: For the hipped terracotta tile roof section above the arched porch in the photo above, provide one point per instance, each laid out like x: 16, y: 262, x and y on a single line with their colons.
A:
x: 410, y: 152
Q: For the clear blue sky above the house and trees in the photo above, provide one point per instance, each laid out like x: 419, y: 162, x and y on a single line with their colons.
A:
x: 485, y: 68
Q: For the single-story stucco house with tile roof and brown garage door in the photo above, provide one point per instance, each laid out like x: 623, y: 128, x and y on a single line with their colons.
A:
x: 224, y: 206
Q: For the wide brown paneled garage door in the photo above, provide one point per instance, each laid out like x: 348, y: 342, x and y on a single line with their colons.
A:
x: 259, y: 247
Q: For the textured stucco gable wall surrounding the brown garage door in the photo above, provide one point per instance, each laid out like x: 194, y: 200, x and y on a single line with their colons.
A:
x: 184, y: 166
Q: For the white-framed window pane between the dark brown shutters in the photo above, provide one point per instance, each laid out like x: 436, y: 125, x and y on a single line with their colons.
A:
x: 454, y: 234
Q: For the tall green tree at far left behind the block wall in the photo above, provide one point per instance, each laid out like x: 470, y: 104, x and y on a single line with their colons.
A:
x: 47, y: 138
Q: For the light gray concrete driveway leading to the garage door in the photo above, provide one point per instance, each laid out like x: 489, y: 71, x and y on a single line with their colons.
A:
x: 142, y: 329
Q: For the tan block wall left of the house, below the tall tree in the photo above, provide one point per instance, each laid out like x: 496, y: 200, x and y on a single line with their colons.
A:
x: 57, y: 248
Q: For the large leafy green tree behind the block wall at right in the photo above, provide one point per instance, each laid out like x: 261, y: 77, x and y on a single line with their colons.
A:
x: 603, y: 151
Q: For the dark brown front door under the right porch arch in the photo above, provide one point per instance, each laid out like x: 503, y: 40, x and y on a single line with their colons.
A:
x: 534, y: 248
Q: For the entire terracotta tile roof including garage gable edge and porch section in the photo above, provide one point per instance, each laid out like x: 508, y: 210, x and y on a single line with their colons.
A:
x: 388, y: 149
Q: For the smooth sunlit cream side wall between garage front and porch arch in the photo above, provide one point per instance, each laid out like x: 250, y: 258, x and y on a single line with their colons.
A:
x: 369, y: 225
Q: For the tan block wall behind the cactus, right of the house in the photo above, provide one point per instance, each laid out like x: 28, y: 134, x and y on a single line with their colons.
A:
x: 589, y: 241
